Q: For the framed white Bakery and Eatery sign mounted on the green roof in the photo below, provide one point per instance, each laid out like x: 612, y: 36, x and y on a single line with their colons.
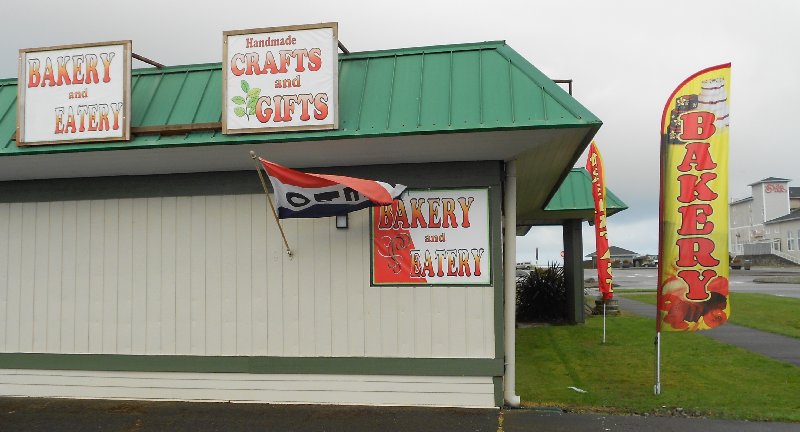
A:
x: 74, y: 93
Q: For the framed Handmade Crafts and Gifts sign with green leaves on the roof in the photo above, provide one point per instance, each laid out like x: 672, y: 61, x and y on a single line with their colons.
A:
x: 280, y: 78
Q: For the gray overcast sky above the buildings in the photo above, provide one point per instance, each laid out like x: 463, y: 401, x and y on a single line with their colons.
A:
x: 626, y: 57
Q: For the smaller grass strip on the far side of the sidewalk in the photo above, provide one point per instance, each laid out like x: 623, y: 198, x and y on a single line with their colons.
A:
x: 765, y: 312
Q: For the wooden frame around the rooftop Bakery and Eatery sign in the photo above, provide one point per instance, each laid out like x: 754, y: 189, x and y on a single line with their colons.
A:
x: 126, y: 93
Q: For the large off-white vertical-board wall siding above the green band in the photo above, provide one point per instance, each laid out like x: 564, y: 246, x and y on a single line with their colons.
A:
x: 207, y: 275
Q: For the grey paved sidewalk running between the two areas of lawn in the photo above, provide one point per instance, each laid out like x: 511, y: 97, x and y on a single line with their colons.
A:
x: 779, y: 347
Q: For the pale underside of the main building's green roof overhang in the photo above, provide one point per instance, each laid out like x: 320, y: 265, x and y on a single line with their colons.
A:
x: 544, y: 158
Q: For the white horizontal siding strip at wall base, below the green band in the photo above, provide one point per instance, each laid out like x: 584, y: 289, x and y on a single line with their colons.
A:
x: 295, y: 388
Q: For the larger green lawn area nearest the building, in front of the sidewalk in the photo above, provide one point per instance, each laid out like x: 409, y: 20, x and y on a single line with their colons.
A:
x: 699, y: 375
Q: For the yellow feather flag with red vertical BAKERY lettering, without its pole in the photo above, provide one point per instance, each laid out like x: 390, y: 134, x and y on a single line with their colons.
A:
x: 693, y: 263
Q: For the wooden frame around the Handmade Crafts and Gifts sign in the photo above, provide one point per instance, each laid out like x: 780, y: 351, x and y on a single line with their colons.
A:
x: 334, y: 26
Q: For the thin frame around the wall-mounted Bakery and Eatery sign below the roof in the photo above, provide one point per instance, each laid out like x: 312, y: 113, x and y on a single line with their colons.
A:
x: 489, y: 241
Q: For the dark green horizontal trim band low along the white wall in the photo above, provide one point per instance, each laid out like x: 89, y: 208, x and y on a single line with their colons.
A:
x: 255, y: 365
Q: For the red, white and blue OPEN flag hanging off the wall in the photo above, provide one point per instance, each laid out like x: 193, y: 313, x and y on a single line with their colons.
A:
x: 306, y: 195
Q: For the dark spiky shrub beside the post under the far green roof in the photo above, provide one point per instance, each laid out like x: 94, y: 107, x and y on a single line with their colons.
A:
x: 542, y: 295
